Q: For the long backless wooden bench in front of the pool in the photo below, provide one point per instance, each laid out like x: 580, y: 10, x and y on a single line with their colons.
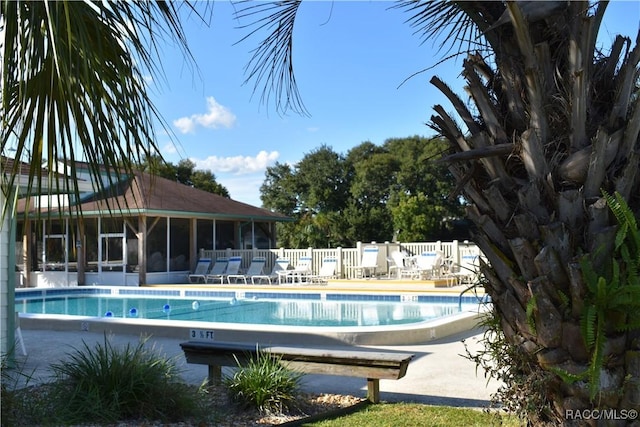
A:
x: 370, y: 364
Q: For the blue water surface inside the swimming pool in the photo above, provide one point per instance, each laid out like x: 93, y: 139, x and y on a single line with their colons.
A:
x: 266, y: 308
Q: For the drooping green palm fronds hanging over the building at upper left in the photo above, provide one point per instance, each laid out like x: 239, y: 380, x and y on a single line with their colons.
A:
x: 74, y: 89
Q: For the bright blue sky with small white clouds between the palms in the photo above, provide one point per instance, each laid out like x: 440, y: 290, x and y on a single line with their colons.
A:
x: 352, y: 60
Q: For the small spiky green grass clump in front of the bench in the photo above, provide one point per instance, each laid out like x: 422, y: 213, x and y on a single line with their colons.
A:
x: 264, y: 383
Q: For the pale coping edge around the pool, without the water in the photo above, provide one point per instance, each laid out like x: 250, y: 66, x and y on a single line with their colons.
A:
x: 409, y: 334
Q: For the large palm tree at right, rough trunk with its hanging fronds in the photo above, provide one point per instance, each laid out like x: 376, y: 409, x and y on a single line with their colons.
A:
x: 553, y: 122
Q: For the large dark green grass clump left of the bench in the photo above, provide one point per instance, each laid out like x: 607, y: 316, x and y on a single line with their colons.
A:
x: 109, y: 384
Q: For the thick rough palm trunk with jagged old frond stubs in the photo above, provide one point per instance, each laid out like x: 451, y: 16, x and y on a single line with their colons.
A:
x: 555, y: 125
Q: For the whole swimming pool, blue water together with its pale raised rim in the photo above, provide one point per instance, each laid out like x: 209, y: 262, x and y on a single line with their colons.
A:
x: 352, y: 317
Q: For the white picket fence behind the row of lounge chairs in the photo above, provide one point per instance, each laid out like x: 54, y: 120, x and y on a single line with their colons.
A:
x: 348, y: 257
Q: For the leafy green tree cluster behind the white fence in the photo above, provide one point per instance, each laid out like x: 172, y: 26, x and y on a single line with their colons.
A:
x: 372, y: 193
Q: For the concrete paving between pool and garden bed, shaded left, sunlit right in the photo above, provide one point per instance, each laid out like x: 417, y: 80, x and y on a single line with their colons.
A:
x: 438, y: 375
